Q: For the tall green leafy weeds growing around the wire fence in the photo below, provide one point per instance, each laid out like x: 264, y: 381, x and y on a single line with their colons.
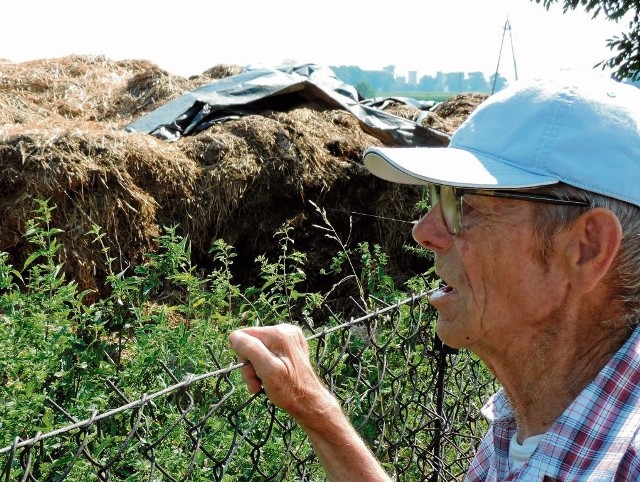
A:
x: 64, y: 359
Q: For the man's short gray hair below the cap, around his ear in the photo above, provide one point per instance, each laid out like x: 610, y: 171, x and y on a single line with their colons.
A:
x: 624, y: 276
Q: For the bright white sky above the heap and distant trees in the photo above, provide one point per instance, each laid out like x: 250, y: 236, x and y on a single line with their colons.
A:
x: 427, y: 36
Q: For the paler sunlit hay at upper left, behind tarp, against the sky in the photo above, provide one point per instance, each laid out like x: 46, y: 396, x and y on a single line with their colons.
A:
x: 90, y: 88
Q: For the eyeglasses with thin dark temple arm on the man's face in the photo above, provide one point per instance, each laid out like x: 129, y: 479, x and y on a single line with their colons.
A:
x: 450, y: 199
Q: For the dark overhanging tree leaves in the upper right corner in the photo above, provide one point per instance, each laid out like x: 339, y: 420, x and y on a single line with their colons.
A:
x: 625, y: 62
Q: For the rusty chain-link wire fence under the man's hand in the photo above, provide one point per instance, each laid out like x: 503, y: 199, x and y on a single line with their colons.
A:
x: 414, y: 401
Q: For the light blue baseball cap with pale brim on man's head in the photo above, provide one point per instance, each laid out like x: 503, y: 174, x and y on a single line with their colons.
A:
x: 580, y: 130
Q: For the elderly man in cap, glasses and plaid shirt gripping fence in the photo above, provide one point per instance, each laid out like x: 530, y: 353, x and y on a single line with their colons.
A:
x: 535, y: 227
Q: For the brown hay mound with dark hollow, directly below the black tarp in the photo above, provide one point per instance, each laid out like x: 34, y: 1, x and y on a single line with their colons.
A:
x: 259, y: 172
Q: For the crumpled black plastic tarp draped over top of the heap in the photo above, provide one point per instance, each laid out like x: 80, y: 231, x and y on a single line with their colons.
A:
x: 255, y: 90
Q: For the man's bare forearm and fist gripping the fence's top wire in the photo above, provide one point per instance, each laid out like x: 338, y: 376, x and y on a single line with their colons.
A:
x: 279, y: 363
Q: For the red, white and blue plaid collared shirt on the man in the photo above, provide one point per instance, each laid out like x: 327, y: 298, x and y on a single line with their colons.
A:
x: 597, y: 438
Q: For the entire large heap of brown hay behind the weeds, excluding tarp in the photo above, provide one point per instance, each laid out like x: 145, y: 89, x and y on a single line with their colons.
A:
x: 62, y: 139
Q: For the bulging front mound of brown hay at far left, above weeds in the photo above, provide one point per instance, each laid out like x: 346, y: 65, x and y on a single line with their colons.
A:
x: 115, y: 180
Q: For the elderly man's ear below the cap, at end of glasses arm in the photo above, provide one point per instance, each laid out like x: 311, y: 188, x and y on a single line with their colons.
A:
x: 597, y: 236
